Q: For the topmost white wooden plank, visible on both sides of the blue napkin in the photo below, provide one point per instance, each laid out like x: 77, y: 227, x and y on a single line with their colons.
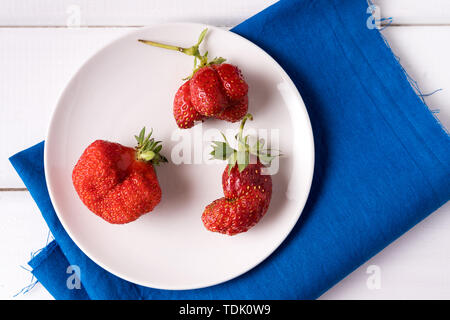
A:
x: 215, y: 12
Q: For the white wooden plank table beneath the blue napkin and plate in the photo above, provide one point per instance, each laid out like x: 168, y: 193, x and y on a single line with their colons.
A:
x: 42, y: 43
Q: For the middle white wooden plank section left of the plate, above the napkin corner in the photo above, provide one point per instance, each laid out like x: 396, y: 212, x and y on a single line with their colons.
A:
x: 36, y: 64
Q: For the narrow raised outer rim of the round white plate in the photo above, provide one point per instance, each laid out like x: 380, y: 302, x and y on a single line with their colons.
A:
x: 58, y: 106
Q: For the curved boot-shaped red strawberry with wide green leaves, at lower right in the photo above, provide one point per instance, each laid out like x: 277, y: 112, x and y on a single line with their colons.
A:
x: 247, y: 191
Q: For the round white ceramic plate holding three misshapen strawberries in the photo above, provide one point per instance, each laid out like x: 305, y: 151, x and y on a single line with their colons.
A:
x: 128, y: 85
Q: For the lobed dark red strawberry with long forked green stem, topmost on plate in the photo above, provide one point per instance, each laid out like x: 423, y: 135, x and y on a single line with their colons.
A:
x: 217, y: 89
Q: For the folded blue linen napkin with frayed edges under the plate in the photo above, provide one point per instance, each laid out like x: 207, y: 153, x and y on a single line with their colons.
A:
x: 382, y: 162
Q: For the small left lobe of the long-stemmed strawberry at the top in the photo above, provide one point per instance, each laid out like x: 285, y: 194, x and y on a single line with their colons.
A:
x: 183, y: 111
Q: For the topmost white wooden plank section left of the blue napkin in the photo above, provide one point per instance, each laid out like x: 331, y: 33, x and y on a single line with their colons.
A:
x: 126, y: 13
